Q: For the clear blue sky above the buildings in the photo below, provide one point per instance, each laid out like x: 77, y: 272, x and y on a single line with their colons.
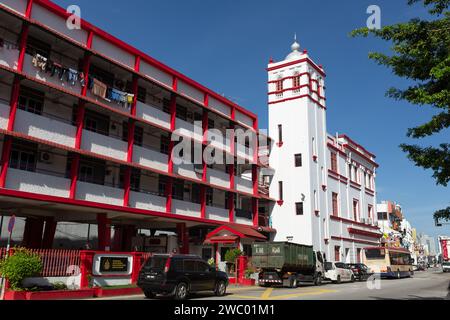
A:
x: 226, y: 45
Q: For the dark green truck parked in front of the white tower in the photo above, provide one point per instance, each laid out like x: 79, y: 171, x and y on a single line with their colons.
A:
x: 287, y: 264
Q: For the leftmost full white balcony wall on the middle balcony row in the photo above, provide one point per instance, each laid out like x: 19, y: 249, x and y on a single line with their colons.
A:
x: 45, y: 128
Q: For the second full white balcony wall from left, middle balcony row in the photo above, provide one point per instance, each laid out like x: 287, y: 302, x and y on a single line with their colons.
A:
x: 104, y: 145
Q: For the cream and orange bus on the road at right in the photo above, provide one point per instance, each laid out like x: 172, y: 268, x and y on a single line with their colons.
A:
x: 389, y: 262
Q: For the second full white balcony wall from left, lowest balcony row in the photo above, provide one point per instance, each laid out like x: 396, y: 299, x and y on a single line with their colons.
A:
x: 98, y: 193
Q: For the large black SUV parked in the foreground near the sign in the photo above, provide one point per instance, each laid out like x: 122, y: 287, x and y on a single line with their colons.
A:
x: 180, y: 275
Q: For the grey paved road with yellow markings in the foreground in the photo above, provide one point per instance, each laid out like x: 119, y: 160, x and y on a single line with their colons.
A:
x: 432, y: 284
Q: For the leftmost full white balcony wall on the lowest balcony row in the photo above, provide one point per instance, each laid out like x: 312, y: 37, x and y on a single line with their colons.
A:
x: 39, y: 183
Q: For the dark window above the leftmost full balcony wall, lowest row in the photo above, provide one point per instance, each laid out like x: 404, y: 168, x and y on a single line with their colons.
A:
x: 23, y: 156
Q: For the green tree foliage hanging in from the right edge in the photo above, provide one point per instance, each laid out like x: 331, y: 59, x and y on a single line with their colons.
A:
x: 421, y: 53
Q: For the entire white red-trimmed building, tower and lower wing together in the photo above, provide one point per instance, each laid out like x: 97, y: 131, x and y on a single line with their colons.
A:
x: 297, y: 123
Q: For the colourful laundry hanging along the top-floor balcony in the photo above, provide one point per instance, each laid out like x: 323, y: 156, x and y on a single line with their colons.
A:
x: 73, y: 76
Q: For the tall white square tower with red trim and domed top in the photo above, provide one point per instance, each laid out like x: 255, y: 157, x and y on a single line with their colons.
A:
x: 297, y: 123
